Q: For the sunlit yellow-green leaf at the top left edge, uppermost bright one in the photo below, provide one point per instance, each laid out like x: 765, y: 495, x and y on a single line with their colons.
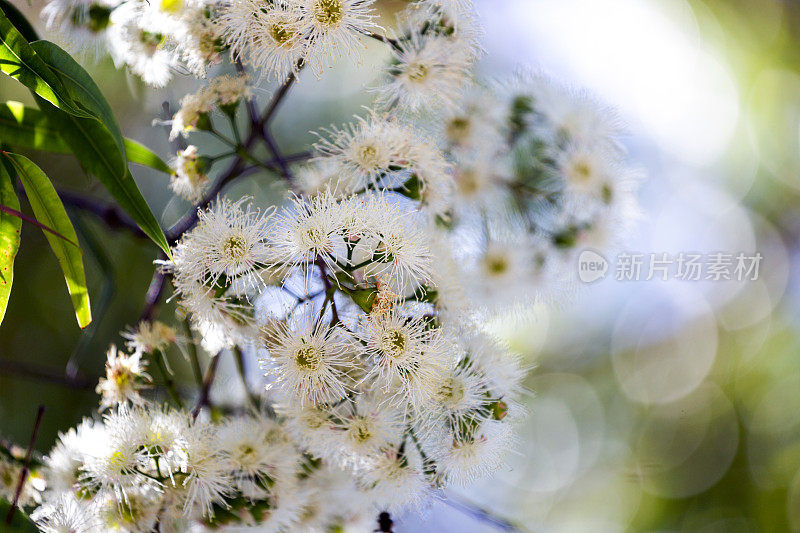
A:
x: 21, y: 62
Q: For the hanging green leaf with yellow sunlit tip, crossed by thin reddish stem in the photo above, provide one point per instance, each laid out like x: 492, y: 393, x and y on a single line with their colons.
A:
x: 49, y: 210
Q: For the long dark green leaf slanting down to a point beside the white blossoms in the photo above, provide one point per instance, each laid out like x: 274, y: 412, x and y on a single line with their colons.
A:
x: 96, y: 149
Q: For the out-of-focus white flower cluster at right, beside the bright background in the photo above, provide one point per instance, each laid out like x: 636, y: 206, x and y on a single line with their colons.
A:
x: 540, y: 174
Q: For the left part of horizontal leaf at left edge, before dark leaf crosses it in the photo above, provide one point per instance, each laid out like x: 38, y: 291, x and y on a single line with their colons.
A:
x: 27, y: 127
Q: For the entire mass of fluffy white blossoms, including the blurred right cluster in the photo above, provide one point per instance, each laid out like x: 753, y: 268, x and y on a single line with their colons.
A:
x: 364, y: 296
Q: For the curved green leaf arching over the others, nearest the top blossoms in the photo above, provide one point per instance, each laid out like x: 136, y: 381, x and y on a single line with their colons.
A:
x: 81, y: 88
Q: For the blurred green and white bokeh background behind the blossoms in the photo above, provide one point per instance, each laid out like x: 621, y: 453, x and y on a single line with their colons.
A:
x: 655, y: 406
